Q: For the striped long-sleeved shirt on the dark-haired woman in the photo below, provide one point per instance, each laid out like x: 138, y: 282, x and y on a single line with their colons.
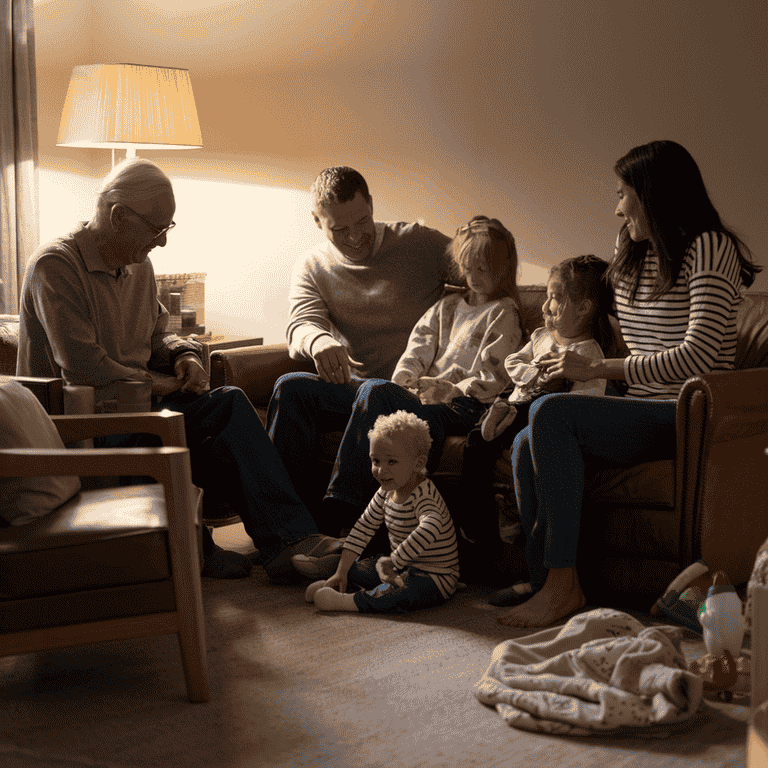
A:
x: 688, y: 331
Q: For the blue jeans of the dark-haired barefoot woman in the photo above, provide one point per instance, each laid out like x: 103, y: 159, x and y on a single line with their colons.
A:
x: 549, y: 457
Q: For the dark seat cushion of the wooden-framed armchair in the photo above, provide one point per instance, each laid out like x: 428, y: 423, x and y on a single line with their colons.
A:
x: 107, y: 537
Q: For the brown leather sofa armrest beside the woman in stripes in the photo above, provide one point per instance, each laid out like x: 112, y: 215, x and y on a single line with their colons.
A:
x: 722, y: 431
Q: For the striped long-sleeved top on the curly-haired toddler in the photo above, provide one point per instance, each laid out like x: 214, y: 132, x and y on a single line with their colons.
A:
x: 421, y: 533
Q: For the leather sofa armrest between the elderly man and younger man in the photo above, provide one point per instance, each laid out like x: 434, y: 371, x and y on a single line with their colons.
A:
x: 255, y: 369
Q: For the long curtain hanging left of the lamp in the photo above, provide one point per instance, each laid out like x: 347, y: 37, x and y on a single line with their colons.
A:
x: 19, y: 218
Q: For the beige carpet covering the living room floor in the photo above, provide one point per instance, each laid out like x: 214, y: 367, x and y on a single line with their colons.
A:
x: 291, y: 686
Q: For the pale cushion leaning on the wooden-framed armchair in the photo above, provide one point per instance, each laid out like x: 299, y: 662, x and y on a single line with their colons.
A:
x: 25, y: 424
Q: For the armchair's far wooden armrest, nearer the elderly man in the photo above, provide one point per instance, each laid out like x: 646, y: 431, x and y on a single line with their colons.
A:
x: 169, y: 425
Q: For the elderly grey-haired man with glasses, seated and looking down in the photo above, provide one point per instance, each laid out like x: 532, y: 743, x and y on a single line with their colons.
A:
x: 90, y: 314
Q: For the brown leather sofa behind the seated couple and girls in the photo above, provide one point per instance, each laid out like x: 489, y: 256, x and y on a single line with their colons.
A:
x: 642, y: 524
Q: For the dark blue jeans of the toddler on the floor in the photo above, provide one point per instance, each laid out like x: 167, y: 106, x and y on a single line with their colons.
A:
x: 418, y: 592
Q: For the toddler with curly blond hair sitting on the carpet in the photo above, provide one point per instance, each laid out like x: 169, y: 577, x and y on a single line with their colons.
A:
x: 422, y: 570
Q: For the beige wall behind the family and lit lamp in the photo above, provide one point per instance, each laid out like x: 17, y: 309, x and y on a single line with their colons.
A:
x: 449, y: 108
